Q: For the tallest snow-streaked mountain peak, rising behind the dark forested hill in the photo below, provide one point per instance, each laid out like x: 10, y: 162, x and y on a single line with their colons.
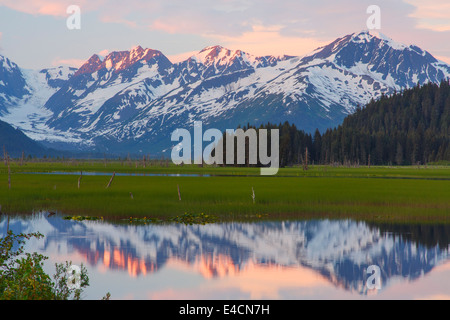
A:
x: 331, y: 82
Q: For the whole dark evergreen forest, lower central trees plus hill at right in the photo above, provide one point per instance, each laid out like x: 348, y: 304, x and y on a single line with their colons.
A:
x: 406, y: 128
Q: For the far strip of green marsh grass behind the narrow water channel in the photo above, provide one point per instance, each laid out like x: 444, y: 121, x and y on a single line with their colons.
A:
x: 110, y: 166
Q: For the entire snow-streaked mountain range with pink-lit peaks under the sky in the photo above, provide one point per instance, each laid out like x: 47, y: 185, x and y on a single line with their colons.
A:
x: 131, y: 101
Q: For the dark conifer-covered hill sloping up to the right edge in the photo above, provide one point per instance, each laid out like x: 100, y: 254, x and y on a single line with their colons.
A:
x: 406, y: 128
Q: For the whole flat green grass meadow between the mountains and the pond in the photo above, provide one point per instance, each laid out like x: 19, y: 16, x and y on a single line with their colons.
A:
x: 385, y: 194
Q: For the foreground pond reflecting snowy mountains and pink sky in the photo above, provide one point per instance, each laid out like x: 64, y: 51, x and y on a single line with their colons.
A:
x: 313, y: 259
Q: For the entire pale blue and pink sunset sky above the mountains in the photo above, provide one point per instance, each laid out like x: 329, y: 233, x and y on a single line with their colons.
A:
x: 34, y: 33
